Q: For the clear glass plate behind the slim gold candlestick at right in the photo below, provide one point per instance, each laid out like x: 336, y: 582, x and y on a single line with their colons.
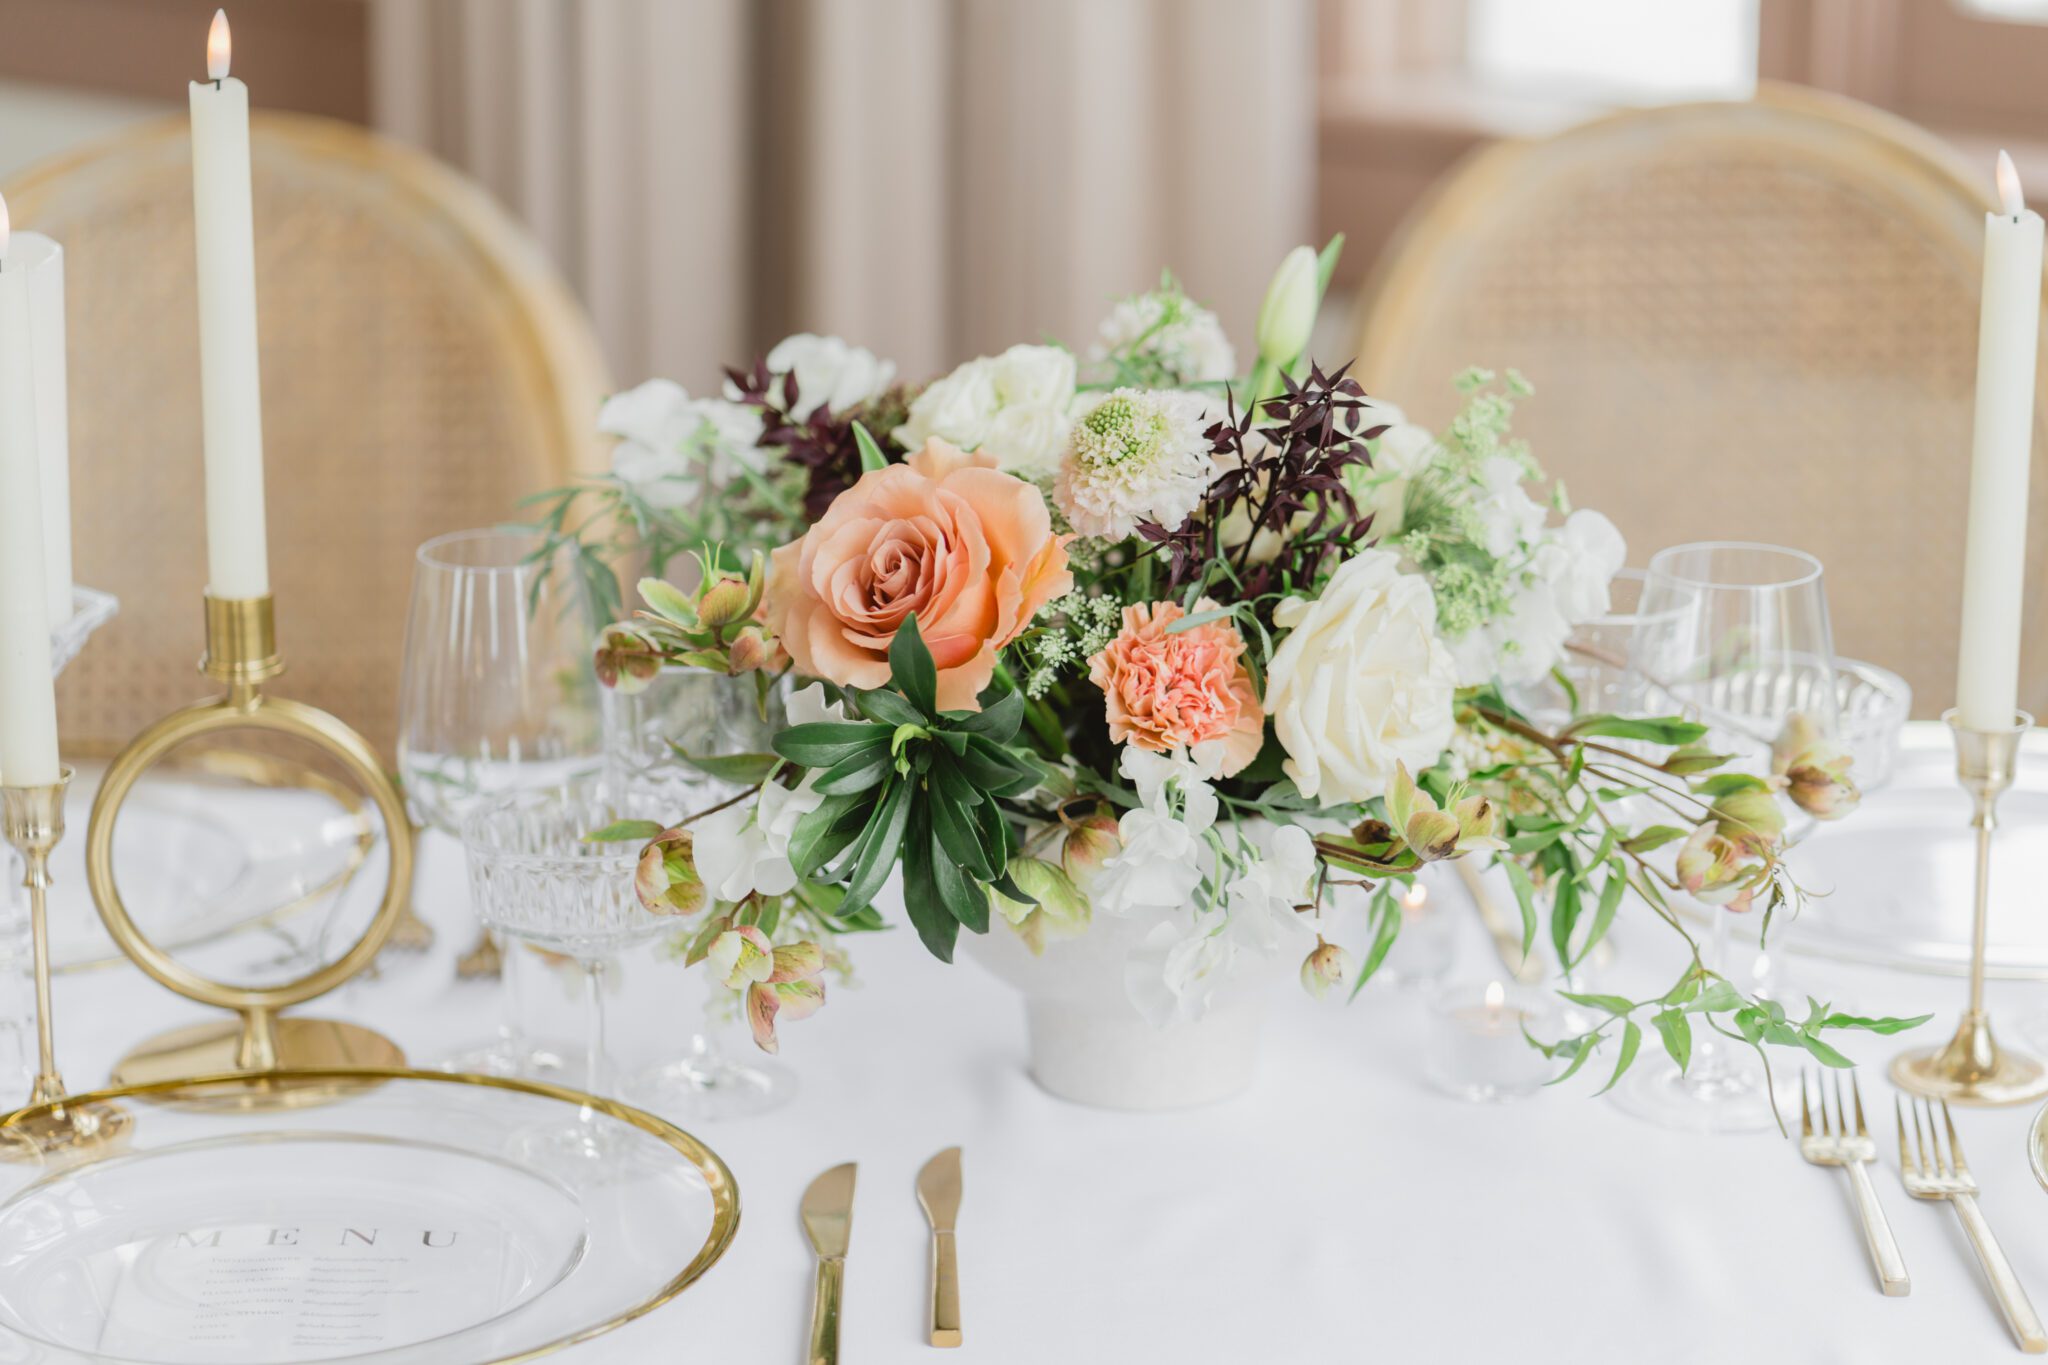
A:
x: 1891, y: 885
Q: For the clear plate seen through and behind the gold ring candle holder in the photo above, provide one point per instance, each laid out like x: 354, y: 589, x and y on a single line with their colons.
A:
x: 226, y: 852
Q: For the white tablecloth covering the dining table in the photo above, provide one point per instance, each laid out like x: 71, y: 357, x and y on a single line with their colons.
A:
x: 1338, y: 1213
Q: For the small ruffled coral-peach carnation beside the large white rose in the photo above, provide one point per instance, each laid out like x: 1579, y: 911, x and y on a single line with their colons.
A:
x: 1187, y: 689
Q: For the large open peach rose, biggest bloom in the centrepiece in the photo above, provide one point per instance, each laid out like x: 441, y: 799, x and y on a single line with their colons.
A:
x: 945, y: 537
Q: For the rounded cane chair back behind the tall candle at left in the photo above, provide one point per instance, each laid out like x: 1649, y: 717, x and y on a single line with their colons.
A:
x: 421, y: 373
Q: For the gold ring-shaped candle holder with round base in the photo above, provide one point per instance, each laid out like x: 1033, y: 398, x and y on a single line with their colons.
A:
x: 243, y: 656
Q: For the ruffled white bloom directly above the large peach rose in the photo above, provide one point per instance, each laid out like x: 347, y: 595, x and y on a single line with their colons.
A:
x: 1017, y: 406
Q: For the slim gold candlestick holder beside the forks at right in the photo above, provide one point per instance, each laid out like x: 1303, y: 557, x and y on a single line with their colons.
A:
x: 1973, y: 1069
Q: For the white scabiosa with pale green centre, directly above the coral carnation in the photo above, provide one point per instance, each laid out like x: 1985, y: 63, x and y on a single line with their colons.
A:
x: 1136, y: 457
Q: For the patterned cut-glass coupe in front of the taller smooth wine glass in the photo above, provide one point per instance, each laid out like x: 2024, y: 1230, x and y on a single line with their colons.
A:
x: 540, y: 881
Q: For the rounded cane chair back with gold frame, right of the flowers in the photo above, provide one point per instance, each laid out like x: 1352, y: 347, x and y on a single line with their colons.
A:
x: 1748, y: 322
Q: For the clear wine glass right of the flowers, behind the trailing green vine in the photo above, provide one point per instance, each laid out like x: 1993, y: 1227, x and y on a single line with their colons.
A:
x: 1752, y: 652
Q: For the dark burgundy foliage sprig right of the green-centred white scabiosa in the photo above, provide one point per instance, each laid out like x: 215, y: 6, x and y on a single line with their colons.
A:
x: 1289, y: 468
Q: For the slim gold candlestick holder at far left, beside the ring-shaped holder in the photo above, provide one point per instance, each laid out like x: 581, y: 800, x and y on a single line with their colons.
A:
x: 32, y: 820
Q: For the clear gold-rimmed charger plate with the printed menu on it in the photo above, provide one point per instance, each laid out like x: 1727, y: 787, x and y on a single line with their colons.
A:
x: 413, y: 1219
